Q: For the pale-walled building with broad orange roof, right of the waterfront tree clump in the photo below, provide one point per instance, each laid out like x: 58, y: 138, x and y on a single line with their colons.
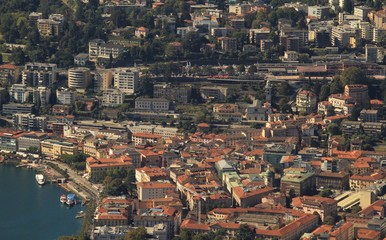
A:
x: 149, y: 190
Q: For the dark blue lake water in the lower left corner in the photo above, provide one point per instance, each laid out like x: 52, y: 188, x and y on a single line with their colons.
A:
x: 29, y: 211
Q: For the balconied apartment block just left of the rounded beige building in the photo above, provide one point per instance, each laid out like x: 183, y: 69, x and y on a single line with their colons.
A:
x: 39, y: 74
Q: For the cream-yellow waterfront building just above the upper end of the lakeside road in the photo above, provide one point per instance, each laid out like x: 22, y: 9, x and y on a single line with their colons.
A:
x: 55, y: 149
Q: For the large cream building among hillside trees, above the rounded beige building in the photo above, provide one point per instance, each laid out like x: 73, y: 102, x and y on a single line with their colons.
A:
x: 99, y: 49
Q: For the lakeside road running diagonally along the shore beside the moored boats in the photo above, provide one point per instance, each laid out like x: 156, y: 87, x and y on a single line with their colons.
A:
x: 84, y: 184
